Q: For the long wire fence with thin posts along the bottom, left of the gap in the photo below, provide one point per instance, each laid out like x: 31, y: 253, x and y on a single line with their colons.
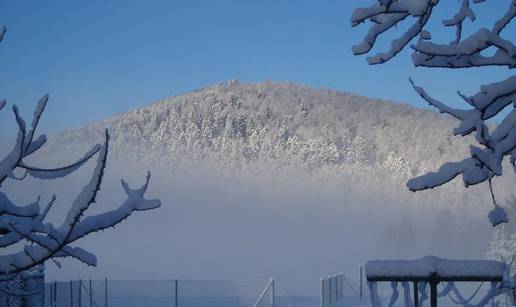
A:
x: 170, y: 293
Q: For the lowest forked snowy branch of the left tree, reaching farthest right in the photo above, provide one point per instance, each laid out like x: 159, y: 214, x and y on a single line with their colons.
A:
x: 53, y: 243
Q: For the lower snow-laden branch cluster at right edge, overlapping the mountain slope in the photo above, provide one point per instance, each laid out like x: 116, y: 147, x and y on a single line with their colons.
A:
x: 489, y: 101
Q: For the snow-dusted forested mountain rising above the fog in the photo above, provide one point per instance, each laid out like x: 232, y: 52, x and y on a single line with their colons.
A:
x: 270, y: 128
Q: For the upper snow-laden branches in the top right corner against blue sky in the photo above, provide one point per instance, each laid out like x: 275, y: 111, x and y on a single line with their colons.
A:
x: 459, y: 53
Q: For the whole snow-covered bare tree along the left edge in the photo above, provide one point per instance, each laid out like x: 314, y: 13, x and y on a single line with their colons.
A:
x: 27, y: 239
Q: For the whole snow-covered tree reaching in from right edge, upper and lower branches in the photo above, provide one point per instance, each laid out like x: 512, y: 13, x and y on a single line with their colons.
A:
x: 485, y: 160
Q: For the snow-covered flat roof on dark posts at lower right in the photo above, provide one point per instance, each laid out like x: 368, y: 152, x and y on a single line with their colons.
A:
x: 432, y: 267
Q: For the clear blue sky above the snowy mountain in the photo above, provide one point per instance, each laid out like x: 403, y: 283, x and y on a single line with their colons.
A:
x: 98, y: 58
